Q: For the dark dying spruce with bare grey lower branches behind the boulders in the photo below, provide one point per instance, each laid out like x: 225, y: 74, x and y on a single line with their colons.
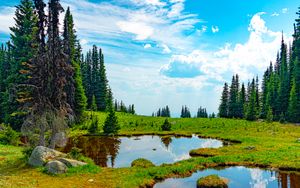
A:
x: 48, y: 109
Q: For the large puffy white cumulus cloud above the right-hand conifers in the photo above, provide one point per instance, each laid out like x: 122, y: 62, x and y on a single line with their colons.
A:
x: 255, y: 54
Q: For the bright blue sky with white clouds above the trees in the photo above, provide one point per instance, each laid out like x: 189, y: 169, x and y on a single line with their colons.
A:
x: 177, y: 52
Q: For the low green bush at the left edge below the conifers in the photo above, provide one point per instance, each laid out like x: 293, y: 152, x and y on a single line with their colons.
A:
x: 8, y: 135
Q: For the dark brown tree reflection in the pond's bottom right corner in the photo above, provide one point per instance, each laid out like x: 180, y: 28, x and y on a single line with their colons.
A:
x: 288, y: 180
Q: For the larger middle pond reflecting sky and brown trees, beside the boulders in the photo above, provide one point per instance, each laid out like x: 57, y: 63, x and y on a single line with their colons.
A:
x: 121, y: 151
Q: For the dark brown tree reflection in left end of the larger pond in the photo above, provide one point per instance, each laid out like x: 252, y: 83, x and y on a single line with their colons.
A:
x: 96, y: 148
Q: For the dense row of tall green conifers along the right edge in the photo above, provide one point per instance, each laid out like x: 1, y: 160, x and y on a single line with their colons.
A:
x: 279, y: 96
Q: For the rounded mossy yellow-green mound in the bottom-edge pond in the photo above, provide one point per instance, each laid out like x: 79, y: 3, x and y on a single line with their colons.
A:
x: 212, y: 181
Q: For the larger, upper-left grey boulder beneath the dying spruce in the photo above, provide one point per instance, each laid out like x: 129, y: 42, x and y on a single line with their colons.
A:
x: 40, y: 155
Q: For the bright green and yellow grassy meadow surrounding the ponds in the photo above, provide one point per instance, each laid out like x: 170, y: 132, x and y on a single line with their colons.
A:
x: 270, y: 145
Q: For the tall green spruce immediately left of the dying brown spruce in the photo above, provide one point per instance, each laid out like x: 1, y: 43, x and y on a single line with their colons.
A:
x: 23, y: 48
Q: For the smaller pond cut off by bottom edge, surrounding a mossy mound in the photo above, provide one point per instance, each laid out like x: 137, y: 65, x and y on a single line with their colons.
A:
x: 239, y: 177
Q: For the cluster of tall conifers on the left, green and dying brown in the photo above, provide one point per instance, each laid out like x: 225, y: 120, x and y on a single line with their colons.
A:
x: 46, y: 82
